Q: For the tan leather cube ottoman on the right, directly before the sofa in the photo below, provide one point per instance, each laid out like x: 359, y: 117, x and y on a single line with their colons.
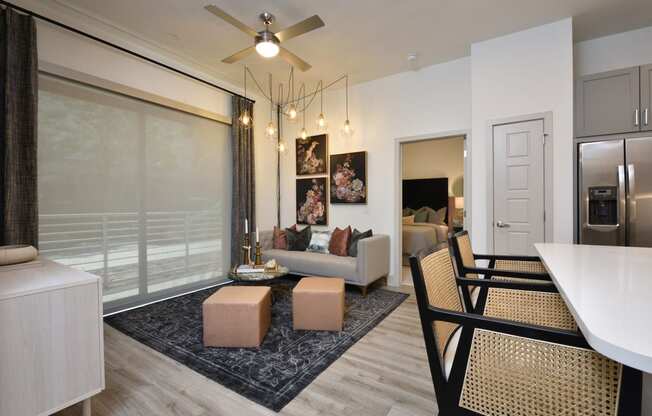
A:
x: 318, y: 304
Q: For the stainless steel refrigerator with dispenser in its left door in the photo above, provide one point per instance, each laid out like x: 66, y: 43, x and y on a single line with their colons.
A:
x: 615, y: 192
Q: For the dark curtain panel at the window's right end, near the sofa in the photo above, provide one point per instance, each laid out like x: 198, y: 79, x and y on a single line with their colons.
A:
x: 244, y: 183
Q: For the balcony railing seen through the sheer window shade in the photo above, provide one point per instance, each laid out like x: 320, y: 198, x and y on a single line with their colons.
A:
x: 130, y: 251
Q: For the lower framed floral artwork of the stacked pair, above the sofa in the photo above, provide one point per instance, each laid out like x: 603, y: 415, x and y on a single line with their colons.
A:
x: 312, y: 196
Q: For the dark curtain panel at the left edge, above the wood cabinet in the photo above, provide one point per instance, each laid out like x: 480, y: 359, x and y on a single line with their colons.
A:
x: 18, y: 102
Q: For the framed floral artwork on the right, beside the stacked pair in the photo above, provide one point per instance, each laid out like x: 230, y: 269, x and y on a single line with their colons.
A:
x: 349, y: 178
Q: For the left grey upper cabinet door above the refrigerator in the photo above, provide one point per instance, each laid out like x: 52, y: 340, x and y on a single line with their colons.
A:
x: 607, y: 103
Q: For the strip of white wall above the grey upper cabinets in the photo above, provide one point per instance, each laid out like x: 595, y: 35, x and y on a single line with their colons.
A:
x: 617, y: 51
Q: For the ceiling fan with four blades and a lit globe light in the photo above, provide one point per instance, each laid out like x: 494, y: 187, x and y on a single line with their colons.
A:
x: 267, y: 42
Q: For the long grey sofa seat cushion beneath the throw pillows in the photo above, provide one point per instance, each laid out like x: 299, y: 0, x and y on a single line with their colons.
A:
x: 305, y: 262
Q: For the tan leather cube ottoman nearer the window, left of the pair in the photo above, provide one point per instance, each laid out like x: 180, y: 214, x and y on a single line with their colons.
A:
x: 237, y: 316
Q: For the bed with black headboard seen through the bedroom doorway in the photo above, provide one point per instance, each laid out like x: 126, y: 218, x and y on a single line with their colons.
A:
x: 418, y: 193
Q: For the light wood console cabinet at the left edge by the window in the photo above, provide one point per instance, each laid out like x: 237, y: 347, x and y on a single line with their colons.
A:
x: 51, y: 338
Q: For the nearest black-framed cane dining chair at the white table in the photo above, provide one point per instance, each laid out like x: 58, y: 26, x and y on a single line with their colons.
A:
x: 503, y: 367
